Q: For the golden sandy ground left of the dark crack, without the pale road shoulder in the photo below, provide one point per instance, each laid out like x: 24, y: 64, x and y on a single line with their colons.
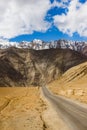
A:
x: 21, y: 109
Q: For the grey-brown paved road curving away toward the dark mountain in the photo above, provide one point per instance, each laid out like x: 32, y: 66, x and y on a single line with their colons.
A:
x: 74, y: 114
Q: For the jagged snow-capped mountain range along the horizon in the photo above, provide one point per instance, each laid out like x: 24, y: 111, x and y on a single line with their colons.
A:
x: 40, y: 45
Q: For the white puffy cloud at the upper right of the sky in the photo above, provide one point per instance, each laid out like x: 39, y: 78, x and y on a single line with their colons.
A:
x: 75, y: 20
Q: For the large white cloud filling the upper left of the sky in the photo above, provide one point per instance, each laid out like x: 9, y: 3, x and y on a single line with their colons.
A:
x: 23, y: 17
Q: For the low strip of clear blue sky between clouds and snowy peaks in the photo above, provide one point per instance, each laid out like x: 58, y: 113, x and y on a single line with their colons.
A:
x: 49, y: 35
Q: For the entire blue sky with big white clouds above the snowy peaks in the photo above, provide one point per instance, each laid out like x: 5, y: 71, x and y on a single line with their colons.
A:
x: 53, y: 20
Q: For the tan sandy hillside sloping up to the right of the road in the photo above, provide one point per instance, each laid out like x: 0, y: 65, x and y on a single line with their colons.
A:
x: 72, y: 84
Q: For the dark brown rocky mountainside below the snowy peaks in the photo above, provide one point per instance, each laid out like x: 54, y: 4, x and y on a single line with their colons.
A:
x: 22, y: 67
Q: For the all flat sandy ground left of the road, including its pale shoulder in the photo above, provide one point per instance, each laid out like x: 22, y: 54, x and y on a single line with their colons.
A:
x: 26, y: 109
